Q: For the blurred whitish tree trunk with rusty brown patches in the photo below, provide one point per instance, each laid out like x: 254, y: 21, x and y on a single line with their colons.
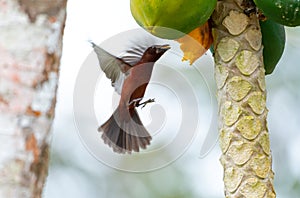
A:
x: 30, y: 50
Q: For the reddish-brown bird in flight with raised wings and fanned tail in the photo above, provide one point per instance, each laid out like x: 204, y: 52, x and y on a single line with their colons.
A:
x: 130, y: 75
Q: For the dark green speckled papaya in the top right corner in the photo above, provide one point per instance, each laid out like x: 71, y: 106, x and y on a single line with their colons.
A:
x: 286, y: 12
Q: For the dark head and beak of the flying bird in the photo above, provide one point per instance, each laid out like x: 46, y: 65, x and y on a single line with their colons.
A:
x: 153, y: 53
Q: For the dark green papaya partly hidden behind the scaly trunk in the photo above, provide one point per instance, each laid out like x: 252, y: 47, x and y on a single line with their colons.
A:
x: 273, y: 40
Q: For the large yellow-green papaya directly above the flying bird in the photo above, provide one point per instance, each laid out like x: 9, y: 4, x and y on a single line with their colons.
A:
x: 171, y: 19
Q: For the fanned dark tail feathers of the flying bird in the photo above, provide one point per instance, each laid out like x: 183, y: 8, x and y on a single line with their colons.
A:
x: 125, y: 135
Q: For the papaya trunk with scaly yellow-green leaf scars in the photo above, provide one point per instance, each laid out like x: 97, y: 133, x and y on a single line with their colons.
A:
x: 240, y: 77
